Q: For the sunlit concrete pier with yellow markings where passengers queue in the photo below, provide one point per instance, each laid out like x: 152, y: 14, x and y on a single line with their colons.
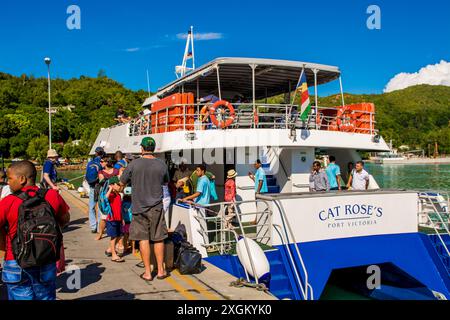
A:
x: 100, y: 278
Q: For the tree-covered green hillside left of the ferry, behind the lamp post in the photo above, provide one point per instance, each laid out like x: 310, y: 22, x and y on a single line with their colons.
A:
x: 24, y: 121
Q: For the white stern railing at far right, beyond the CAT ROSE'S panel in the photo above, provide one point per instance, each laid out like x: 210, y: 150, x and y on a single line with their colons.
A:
x: 434, y: 212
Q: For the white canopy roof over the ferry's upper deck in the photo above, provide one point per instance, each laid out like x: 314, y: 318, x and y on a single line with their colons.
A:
x: 272, y: 77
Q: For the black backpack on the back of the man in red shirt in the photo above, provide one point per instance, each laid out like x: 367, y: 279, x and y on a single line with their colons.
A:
x: 38, y: 238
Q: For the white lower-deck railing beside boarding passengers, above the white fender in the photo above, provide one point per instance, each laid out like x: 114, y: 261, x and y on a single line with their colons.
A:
x: 221, y: 233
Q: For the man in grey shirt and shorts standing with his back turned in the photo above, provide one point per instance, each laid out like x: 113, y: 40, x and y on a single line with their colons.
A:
x: 148, y: 175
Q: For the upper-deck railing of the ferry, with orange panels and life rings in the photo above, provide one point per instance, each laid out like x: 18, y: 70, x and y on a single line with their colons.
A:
x: 195, y: 117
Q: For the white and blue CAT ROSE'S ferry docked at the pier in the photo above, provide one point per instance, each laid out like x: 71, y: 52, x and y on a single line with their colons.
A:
x: 382, y: 243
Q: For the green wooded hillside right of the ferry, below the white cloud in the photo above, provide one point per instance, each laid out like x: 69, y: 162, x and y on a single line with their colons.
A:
x: 415, y: 116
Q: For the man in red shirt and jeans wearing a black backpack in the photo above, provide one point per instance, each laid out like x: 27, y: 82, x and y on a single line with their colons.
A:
x: 32, y: 219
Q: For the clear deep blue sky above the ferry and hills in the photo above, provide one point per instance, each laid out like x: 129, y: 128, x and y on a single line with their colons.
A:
x: 125, y: 38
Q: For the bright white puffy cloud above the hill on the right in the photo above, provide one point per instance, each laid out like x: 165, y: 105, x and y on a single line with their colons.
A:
x: 437, y: 74
